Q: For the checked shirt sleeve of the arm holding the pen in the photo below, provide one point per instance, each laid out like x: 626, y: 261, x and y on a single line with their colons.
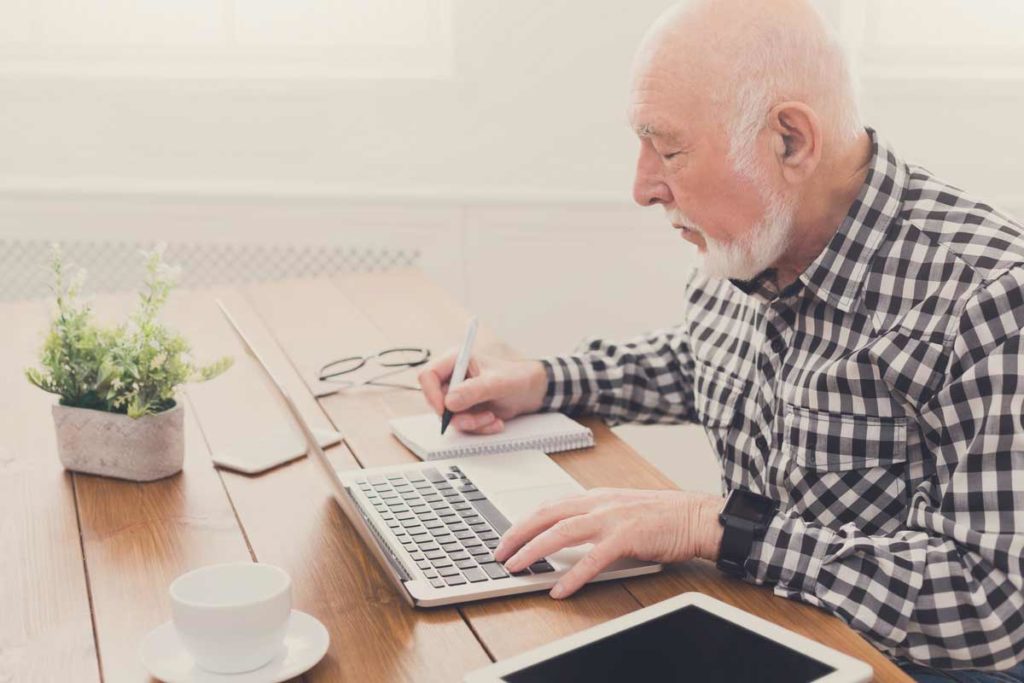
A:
x: 649, y: 379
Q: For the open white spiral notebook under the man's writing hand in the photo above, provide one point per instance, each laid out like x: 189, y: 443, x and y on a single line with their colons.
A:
x: 549, y: 433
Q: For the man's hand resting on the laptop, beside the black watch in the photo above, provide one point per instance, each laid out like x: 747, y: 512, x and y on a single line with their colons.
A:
x: 652, y: 526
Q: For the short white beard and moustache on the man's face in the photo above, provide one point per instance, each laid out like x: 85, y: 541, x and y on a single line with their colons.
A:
x: 762, y: 246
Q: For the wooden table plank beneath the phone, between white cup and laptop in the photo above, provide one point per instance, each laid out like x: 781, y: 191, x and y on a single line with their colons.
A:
x: 292, y: 521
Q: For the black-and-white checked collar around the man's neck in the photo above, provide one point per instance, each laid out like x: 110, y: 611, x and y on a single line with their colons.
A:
x: 838, y: 273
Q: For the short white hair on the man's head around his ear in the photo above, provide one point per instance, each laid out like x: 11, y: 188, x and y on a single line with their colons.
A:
x: 780, y: 63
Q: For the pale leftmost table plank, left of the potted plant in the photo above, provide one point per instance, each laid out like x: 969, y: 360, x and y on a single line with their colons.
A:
x: 46, y: 624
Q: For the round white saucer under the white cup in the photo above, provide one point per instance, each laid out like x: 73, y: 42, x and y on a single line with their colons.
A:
x: 306, y: 644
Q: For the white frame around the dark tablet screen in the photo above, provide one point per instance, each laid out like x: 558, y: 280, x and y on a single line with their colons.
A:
x: 848, y: 670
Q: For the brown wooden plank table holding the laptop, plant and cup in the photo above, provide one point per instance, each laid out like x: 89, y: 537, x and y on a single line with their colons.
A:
x: 87, y: 561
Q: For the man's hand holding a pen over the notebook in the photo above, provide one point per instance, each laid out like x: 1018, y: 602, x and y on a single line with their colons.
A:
x: 494, y: 391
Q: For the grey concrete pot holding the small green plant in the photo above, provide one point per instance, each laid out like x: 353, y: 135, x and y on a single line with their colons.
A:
x: 116, y: 446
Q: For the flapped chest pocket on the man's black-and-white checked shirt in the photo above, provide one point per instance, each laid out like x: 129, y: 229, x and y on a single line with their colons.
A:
x: 845, y: 468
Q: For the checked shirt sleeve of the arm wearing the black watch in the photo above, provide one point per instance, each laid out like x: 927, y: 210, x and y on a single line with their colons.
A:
x: 948, y: 588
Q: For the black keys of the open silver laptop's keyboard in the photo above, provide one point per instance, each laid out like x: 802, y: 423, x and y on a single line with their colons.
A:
x: 449, y: 528
